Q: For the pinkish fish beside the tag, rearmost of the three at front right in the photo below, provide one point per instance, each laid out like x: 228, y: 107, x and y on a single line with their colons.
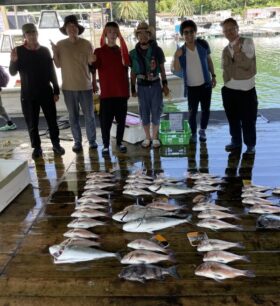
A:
x: 217, y: 245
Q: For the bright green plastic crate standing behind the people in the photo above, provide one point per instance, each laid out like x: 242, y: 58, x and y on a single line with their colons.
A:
x: 168, y: 137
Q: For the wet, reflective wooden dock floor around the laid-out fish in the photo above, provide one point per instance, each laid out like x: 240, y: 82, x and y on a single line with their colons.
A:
x: 38, y: 217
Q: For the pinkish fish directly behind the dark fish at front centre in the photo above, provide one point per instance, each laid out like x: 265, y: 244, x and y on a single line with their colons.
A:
x: 146, y: 257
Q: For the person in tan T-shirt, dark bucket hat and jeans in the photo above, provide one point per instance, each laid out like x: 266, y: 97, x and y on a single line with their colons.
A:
x: 74, y: 55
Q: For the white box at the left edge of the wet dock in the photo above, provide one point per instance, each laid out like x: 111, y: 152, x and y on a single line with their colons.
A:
x: 14, y: 177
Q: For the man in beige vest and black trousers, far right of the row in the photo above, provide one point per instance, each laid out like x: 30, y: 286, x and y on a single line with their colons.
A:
x: 239, y: 93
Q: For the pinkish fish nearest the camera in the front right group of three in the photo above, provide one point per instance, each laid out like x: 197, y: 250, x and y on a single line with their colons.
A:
x: 219, y: 271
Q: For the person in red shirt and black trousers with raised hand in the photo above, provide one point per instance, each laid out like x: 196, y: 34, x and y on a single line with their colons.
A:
x: 112, y: 61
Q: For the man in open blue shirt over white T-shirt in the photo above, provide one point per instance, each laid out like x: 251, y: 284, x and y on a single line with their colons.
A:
x: 193, y: 63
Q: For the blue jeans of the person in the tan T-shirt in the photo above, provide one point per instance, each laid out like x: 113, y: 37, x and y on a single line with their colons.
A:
x: 73, y: 99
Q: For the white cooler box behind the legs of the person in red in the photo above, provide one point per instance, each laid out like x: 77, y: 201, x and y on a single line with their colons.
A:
x: 133, y: 132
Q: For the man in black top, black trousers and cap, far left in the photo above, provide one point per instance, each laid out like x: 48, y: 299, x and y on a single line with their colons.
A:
x: 36, y: 69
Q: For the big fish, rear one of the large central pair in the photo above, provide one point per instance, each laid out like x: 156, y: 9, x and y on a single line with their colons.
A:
x: 134, y: 212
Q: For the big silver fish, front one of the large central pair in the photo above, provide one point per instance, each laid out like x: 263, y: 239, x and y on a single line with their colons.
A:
x: 150, y: 225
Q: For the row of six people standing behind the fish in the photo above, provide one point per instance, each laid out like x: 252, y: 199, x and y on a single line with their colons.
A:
x: 80, y: 63
